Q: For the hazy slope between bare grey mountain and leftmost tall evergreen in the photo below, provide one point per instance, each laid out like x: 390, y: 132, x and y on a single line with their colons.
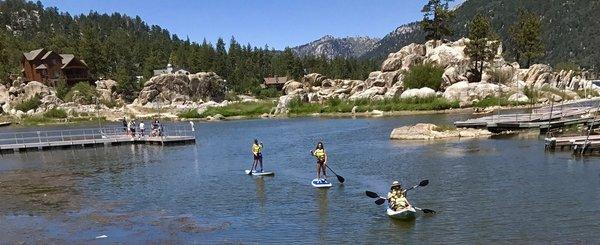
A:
x: 394, y: 41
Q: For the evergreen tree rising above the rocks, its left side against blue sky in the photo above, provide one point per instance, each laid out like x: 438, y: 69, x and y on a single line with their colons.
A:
x: 437, y: 18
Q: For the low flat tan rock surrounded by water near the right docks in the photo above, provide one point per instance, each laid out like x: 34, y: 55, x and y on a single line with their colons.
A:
x: 425, y: 131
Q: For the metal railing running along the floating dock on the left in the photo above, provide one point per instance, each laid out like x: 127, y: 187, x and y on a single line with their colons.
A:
x: 48, y: 136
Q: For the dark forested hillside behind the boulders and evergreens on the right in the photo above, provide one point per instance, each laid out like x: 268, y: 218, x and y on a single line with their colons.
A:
x: 569, y: 28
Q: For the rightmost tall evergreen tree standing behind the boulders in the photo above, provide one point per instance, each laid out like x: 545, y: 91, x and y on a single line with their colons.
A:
x: 525, y: 35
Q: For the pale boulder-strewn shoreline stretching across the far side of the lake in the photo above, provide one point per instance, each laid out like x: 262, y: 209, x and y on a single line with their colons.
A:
x: 173, y: 95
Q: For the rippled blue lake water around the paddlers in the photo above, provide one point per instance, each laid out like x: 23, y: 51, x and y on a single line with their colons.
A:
x: 501, y: 190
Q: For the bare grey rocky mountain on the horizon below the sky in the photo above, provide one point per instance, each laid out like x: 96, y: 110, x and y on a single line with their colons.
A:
x: 331, y: 47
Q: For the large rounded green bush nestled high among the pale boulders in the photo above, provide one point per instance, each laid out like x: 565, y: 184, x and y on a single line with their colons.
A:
x: 426, y: 75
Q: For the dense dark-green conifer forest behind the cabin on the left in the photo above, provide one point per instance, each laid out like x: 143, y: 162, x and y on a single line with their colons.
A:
x: 120, y: 47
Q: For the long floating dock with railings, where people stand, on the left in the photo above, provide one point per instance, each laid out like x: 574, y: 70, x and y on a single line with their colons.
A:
x: 59, y: 139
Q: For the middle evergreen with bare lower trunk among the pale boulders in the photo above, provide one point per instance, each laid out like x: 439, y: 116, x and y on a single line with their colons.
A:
x: 482, y: 46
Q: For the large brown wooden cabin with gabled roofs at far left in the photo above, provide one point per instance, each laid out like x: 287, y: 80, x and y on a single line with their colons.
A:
x: 48, y: 67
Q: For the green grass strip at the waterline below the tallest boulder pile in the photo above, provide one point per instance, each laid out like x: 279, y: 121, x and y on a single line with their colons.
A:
x: 297, y: 107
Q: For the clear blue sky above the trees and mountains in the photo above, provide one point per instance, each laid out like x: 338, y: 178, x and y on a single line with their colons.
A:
x: 277, y: 23
